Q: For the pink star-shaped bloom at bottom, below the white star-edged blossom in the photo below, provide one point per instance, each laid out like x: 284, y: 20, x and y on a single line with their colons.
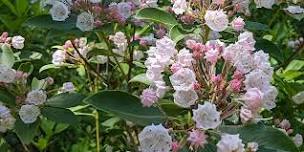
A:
x: 197, y: 138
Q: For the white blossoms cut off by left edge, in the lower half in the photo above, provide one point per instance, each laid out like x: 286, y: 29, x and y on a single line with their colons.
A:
x: 7, y: 121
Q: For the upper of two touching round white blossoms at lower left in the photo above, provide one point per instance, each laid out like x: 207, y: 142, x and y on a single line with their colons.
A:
x: 36, y: 97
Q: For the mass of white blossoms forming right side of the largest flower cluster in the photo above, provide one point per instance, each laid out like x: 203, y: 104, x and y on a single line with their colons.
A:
x: 255, y: 65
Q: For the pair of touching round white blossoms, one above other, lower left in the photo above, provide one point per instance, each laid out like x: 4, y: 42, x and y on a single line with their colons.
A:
x: 30, y: 111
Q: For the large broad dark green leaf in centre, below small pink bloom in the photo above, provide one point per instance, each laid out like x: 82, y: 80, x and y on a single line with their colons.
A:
x: 125, y: 106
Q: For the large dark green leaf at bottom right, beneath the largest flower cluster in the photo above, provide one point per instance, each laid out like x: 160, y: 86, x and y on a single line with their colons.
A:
x: 265, y: 136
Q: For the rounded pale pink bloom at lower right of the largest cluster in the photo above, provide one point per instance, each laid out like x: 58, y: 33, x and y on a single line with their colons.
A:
x: 253, y: 99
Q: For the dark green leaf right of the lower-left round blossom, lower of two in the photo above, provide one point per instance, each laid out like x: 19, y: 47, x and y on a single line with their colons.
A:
x: 59, y: 115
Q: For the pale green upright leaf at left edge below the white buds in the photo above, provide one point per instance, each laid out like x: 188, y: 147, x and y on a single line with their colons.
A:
x: 7, y: 56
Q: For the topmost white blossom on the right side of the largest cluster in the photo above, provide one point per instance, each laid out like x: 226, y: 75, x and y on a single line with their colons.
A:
x: 246, y: 40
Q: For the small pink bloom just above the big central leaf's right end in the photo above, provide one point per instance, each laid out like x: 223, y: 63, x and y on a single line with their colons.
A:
x: 148, y: 97
